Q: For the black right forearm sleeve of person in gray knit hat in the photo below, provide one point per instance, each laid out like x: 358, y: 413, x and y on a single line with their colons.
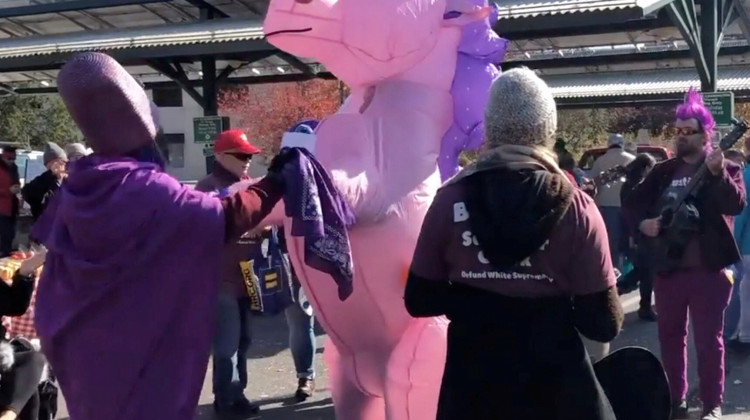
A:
x: 598, y: 316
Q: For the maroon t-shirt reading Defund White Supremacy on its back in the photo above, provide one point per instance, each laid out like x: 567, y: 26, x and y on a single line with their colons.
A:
x: 575, y: 260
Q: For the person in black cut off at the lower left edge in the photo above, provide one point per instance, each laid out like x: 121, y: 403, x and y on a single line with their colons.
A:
x: 21, y: 366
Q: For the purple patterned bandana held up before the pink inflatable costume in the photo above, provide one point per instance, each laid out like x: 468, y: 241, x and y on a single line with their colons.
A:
x: 321, y: 216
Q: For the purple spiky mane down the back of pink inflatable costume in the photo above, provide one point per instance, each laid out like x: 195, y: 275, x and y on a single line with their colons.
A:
x: 478, y: 51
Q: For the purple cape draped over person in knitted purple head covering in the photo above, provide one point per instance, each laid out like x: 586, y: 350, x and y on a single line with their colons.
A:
x: 125, y: 306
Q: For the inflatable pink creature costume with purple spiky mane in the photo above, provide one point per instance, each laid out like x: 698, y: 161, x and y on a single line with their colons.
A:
x: 420, y: 72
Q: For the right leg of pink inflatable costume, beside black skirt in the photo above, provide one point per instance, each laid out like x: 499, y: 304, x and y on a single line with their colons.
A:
x: 415, y: 371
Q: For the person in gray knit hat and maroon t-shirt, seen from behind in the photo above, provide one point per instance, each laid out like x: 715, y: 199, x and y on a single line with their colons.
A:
x: 517, y: 259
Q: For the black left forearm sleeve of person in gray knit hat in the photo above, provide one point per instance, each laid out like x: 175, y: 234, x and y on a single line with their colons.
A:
x: 426, y: 298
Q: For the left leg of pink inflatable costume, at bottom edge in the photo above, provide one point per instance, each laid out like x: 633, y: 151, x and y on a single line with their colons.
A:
x: 349, y: 402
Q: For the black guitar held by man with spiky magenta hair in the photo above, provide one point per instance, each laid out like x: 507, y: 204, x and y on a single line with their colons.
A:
x: 680, y: 219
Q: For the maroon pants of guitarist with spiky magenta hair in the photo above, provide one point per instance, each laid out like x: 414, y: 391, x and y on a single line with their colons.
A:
x: 705, y: 295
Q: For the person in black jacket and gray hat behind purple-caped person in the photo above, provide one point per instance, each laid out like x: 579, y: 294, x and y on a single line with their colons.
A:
x: 39, y: 191
